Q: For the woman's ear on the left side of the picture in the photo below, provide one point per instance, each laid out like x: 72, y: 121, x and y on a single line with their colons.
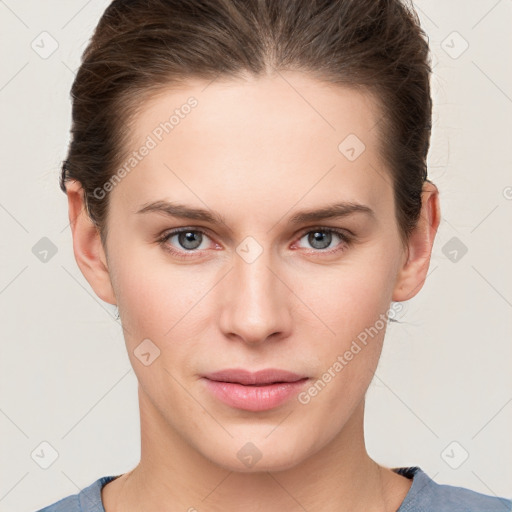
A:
x: 87, y: 246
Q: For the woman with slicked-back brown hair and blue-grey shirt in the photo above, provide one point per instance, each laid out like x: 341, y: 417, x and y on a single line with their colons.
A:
x: 247, y: 182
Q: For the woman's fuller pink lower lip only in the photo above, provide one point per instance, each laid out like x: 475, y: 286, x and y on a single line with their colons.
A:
x: 254, y: 398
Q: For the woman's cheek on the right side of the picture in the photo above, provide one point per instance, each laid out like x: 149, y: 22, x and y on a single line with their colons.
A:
x: 352, y: 306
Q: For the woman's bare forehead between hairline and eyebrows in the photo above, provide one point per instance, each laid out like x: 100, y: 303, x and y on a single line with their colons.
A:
x: 283, y: 138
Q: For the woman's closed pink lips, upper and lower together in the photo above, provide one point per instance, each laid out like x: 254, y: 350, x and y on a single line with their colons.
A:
x: 254, y: 391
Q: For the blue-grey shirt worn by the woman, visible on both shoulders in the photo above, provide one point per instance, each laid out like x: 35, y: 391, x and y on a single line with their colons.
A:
x: 425, y: 495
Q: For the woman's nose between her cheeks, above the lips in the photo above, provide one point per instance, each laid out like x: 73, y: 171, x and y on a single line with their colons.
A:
x: 255, y: 301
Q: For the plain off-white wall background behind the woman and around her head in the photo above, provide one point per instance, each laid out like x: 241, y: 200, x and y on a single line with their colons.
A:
x: 445, y: 373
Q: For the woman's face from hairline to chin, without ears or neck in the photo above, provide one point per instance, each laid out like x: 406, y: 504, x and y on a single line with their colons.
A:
x: 259, y: 285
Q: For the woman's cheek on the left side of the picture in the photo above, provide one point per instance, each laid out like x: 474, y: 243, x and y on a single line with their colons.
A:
x: 157, y: 304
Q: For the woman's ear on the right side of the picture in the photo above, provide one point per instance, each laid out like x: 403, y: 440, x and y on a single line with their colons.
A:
x: 414, y: 270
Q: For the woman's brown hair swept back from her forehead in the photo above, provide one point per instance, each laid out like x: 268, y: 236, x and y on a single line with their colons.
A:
x: 143, y: 46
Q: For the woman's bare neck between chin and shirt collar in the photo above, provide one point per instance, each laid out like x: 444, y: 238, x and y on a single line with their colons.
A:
x: 174, y: 476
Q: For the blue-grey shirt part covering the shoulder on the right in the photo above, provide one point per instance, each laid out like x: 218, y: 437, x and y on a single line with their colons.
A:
x: 427, y: 495
